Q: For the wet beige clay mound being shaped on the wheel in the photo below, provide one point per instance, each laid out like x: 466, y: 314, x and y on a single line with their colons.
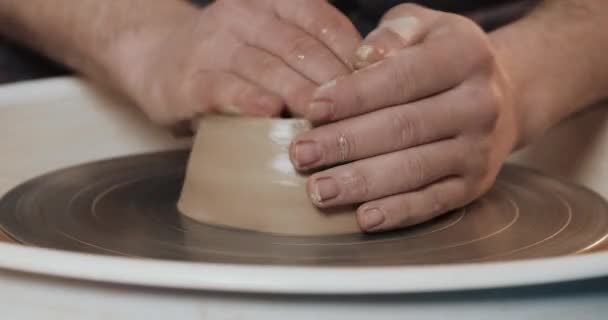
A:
x: 239, y: 175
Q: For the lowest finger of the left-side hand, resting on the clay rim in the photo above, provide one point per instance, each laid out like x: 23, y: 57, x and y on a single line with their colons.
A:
x: 227, y: 93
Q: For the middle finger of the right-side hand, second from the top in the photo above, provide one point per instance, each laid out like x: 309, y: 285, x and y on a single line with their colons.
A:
x: 380, y: 132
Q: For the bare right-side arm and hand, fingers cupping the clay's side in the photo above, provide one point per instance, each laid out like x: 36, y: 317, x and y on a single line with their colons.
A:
x: 439, y: 104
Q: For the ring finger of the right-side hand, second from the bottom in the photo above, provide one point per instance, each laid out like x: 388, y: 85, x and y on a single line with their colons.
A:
x: 385, y: 175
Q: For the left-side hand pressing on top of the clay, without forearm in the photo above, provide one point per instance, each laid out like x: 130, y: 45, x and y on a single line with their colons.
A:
x: 235, y: 56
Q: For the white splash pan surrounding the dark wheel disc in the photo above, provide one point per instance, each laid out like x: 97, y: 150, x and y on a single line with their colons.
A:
x: 51, y: 124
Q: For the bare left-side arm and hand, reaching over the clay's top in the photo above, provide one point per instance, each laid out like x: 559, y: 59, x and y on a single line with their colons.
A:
x: 177, y: 61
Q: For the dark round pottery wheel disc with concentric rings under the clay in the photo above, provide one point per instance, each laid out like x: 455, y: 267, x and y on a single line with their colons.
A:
x: 126, y: 206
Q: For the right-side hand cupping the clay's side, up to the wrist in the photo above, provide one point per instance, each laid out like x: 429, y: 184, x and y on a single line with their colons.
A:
x: 423, y: 127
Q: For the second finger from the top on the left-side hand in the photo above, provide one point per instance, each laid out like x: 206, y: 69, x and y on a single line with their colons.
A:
x: 298, y: 49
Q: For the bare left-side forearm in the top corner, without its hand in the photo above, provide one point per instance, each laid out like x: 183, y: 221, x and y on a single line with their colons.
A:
x: 83, y: 34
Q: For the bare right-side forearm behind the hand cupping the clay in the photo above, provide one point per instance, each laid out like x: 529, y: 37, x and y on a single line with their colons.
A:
x: 557, y: 62
